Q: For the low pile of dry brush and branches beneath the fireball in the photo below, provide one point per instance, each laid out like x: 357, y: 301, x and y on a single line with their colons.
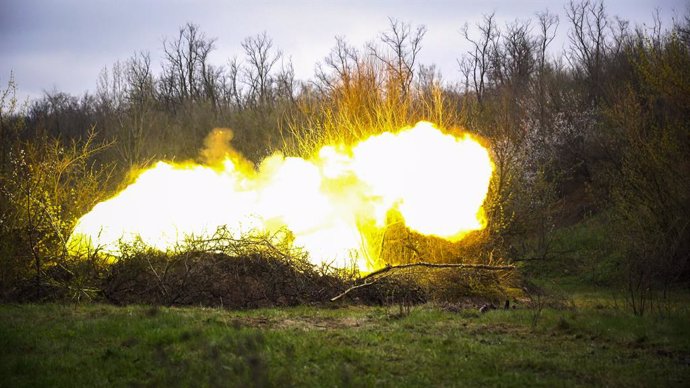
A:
x: 254, y: 272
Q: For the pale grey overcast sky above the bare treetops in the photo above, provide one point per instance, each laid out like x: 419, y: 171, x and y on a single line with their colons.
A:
x: 64, y: 44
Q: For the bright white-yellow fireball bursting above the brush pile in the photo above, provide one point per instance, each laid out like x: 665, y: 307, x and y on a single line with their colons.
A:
x: 435, y: 181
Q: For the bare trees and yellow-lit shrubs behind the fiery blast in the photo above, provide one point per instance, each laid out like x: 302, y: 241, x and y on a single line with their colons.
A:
x: 603, y: 129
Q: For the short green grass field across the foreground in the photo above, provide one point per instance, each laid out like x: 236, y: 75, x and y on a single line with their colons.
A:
x: 101, y: 345
